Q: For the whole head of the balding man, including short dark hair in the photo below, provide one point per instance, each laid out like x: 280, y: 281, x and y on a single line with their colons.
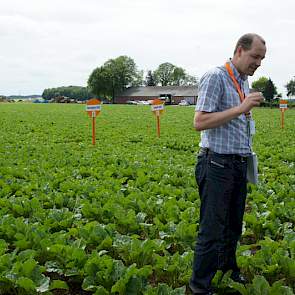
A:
x: 248, y: 54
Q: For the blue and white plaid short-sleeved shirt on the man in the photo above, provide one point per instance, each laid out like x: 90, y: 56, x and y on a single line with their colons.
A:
x: 216, y: 94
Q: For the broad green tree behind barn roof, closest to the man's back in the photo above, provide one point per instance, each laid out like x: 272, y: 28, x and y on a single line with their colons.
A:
x: 168, y: 74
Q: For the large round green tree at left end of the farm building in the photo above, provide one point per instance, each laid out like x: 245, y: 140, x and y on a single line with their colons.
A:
x: 114, y: 76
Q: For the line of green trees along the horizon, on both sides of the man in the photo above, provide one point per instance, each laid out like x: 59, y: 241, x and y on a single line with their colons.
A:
x: 118, y: 74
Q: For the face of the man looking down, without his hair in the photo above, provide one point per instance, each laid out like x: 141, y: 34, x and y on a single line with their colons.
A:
x: 250, y: 60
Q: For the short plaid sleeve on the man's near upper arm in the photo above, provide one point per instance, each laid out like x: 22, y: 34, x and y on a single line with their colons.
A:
x: 210, y: 92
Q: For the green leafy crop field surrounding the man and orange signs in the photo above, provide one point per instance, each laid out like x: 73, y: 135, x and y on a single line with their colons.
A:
x: 121, y: 217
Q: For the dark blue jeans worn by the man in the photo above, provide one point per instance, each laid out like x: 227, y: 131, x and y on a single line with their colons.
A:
x: 222, y: 182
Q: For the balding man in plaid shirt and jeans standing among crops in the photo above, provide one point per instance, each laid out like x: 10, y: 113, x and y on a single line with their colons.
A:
x: 223, y: 115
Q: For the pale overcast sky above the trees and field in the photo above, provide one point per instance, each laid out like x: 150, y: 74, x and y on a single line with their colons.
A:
x: 52, y: 43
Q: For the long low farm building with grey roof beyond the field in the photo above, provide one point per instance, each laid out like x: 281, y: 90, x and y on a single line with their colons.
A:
x: 171, y: 94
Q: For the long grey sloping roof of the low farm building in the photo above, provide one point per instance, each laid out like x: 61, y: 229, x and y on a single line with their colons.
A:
x: 158, y: 90
